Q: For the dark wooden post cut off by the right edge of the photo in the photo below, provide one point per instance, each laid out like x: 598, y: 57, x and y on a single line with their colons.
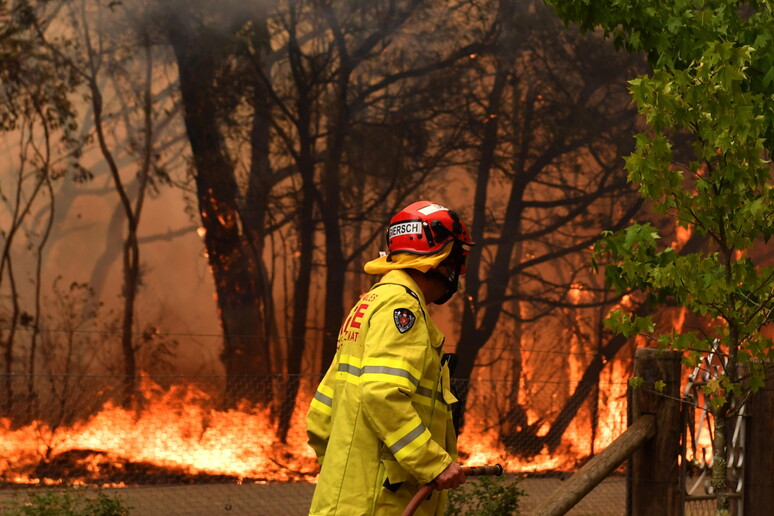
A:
x: 759, y: 451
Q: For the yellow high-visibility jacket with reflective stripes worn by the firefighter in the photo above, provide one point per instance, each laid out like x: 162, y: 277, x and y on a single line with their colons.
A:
x: 380, y: 421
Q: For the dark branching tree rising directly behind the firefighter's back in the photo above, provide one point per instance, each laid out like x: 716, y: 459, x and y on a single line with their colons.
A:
x: 357, y: 117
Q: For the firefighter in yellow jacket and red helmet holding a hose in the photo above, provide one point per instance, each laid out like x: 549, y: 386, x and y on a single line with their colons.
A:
x: 380, y: 422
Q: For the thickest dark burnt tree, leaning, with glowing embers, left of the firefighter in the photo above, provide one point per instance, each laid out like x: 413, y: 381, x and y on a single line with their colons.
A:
x: 233, y: 242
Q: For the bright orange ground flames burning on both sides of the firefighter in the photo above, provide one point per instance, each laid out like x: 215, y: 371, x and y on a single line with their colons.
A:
x: 179, y: 432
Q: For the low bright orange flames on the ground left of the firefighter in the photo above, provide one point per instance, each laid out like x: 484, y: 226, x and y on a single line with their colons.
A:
x: 177, y: 430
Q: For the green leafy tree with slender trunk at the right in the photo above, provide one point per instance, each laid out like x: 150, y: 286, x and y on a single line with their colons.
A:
x: 710, y: 88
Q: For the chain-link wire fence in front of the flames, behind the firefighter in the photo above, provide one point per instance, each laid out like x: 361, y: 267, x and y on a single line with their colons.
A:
x: 182, y: 447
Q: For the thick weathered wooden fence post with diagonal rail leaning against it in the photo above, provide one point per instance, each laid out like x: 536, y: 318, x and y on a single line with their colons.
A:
x: 655, y: 475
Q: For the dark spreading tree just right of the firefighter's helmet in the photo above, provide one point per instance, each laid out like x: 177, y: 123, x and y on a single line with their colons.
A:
x: 554, y: 120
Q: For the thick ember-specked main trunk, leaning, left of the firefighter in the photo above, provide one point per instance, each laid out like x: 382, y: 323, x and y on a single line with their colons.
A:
x: 234, y: 268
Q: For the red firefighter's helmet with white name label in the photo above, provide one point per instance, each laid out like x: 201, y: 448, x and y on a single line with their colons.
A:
x: 424, y: 227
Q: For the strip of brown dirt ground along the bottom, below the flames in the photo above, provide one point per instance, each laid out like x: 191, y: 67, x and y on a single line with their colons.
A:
x: 607, y: 499
